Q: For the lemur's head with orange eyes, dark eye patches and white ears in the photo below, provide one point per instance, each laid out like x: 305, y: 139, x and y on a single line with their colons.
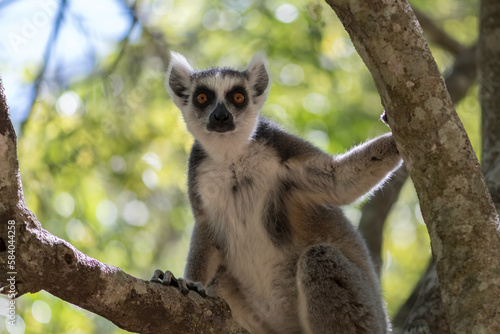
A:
x: 219, y: 104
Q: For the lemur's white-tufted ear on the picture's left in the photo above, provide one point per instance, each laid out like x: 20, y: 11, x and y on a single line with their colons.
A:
x: 178, y: 77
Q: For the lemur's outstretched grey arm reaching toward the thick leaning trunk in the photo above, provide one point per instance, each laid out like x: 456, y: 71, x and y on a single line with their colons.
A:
x: 343, y: 179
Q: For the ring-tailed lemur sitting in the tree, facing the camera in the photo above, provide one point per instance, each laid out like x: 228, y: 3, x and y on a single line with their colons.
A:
x: 269, y: 237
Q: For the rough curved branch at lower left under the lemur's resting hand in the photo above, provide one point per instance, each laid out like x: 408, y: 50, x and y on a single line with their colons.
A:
x: 43, y: 261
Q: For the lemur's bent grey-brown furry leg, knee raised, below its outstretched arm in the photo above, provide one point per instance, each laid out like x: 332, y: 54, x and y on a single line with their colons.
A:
x: 334, y: 296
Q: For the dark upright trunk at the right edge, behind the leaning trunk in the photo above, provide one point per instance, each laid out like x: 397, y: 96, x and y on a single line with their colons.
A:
x: 489, y: 94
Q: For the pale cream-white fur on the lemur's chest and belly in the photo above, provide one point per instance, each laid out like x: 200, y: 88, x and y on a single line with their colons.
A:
x: 234, y: 195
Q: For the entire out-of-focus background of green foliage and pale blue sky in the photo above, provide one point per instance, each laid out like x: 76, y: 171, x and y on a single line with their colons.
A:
x: 103, y: 150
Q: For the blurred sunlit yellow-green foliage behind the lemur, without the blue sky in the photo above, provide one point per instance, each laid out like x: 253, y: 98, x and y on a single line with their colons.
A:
x: 103, y: 166
